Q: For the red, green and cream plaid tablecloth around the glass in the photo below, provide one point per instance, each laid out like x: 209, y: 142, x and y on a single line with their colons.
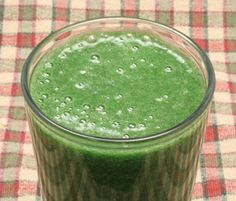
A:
x: 212, y: 24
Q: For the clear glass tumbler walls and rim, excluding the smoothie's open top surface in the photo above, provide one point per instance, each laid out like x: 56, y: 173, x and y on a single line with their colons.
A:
x: 77, y: 167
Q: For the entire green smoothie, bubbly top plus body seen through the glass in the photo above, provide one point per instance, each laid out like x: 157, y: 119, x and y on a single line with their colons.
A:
x: 116, y: 85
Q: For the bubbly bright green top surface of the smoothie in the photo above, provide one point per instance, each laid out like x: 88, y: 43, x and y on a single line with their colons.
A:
x: 117, y: 85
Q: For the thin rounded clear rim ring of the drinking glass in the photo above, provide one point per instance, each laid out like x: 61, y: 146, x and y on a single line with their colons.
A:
x: 197, y: 113
